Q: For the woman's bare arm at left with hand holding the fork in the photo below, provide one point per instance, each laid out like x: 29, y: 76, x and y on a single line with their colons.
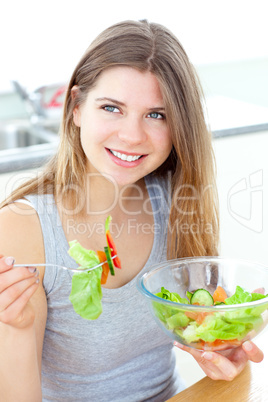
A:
x: 23, y: 308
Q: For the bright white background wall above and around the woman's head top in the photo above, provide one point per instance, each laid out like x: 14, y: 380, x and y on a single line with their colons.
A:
x: 41, y: 41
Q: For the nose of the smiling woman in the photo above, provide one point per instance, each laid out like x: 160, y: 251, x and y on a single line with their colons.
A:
x: 132, y: 131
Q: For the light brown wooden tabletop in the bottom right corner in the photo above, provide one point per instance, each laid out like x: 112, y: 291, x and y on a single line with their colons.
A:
x: 250, y: 386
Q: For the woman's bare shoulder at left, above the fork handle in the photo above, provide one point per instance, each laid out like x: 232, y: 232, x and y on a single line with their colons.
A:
x: 21, y: 234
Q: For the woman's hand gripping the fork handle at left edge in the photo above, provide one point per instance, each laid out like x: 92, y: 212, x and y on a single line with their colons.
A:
x: 17, y: 285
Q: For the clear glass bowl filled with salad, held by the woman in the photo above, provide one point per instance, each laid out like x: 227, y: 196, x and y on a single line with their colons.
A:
x: 208, y: 303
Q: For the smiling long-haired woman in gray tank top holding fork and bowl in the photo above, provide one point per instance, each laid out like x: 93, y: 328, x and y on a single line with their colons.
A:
x: 134, y: 145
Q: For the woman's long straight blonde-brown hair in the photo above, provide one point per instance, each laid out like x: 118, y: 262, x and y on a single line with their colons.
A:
x: 193, y: 221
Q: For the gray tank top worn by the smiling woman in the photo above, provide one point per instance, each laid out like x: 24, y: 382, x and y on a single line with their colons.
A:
x: 123, y: 356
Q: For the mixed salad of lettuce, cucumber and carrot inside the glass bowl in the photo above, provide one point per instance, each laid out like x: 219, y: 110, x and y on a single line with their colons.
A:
x: 211, y: 329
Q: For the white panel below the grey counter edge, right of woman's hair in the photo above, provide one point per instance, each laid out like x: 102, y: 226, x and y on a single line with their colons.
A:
x: 243, y: 192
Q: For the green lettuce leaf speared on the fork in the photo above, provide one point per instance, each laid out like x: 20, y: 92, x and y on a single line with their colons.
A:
x: 86, y: 293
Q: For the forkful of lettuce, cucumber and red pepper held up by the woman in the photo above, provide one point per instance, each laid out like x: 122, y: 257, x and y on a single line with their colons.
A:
x: 86, y: 293
